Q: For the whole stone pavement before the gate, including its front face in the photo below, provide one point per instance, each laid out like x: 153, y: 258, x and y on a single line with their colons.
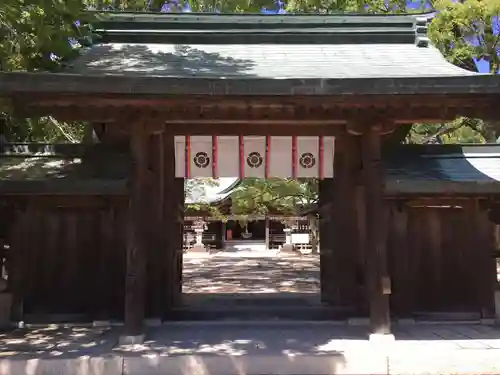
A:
x: 252, y: 349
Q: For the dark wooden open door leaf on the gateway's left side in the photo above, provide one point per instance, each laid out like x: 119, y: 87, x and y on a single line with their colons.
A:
x: 166, y: 208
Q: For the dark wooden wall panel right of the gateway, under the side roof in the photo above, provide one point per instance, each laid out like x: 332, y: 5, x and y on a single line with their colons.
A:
x: 440, y: 259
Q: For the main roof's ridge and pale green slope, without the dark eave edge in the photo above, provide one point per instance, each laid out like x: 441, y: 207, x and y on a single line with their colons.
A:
x: 263, y: 46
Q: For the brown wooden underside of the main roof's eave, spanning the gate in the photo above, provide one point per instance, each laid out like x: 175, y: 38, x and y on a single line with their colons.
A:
x: 264, y: 110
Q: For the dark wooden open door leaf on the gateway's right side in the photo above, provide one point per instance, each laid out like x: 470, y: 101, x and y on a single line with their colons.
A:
x: 338, y: 226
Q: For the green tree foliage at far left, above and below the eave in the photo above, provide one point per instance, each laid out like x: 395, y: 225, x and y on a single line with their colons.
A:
x: 40, y: 36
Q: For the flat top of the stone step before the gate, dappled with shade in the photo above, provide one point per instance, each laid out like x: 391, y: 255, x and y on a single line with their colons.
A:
x: 263, y: 338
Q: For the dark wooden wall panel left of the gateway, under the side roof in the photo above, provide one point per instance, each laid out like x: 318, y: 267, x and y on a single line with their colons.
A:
x: 69, y: 261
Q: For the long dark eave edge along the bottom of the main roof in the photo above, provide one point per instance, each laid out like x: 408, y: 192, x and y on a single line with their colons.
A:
x: 19, y: 83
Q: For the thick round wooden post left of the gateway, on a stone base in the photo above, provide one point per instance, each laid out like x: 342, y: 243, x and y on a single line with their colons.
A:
x: 137, y: 238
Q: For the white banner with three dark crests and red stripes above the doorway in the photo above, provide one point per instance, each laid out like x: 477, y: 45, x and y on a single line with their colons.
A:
x: 254, y: 156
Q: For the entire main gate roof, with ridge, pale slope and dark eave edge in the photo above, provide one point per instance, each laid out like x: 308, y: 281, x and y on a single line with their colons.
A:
x: 230, y: 54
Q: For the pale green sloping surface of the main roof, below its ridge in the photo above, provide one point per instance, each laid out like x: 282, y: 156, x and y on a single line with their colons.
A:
x: 271, y: 61
